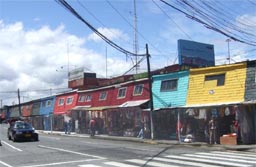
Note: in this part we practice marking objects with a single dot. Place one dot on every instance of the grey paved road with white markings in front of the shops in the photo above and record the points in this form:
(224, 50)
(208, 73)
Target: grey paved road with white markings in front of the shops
(64, 151)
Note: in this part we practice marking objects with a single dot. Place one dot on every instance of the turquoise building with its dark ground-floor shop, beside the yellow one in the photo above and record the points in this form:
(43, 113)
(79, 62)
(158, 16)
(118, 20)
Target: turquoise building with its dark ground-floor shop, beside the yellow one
(169, 94)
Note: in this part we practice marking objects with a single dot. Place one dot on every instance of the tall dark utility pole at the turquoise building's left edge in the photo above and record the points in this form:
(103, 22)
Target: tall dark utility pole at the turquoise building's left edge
(150, 94)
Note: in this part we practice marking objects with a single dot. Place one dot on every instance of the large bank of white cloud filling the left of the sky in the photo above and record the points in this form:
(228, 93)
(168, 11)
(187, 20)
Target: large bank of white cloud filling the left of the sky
(29, 58)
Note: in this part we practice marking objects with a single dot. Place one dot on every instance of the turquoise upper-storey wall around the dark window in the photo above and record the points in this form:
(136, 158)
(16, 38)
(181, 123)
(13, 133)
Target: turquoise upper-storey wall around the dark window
(173, 98)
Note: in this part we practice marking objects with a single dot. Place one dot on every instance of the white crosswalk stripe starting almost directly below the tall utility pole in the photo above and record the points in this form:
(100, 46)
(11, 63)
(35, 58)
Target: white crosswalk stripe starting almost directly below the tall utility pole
(183, 162)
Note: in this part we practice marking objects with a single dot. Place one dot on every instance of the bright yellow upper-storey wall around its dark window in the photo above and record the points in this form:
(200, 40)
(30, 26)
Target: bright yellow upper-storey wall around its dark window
(207, 92)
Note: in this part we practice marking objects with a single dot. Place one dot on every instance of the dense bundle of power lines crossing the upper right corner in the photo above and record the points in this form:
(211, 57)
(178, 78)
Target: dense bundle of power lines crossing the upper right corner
(199, 14)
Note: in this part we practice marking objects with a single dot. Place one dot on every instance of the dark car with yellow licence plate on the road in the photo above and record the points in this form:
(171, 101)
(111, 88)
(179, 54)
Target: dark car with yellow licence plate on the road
(21, 130)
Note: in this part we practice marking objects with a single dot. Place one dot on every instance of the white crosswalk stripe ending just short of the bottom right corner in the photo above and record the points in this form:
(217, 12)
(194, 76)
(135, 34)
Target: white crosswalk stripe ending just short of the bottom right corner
(207, 160)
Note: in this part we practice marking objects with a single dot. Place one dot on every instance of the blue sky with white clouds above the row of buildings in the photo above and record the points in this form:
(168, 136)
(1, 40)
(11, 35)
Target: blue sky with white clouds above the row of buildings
(39, 39)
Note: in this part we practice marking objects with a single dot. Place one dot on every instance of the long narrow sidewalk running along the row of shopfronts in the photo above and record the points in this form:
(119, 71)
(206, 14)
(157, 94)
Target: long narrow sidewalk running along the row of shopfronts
(251, 148)
